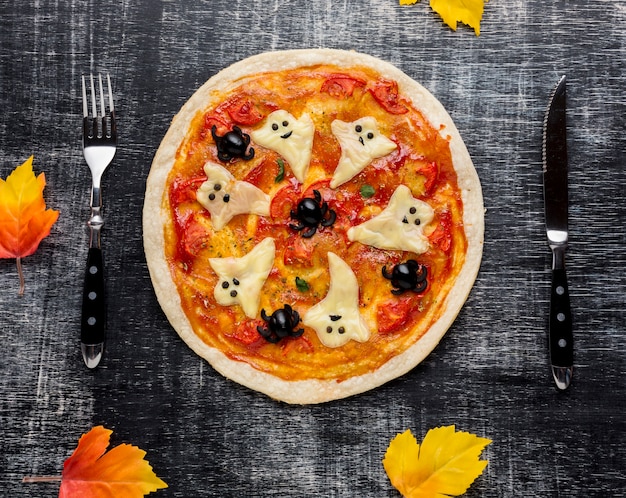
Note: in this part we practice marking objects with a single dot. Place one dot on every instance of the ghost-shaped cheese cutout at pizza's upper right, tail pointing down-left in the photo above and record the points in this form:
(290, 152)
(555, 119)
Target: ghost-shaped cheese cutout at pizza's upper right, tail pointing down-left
(361, 143)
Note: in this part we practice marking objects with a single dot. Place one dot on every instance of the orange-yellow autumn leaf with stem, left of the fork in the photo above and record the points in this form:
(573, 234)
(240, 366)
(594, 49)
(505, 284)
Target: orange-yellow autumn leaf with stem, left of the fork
(24, 219)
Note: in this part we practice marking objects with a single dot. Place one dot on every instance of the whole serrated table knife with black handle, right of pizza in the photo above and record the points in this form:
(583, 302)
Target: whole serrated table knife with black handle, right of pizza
(560, 334)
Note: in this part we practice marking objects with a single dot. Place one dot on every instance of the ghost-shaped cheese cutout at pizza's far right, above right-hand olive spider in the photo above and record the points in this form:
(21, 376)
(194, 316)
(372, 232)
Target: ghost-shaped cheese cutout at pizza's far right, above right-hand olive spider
(399, 226)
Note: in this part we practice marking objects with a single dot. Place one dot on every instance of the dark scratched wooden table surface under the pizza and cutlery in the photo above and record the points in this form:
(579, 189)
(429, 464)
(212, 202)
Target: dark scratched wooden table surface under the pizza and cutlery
(207, 436)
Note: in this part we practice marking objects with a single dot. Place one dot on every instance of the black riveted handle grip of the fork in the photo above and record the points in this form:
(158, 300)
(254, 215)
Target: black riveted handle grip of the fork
(93, 320)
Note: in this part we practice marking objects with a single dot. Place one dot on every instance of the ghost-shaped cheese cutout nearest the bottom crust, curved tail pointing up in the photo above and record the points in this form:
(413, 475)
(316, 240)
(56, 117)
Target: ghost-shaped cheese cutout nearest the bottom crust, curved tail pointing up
(336, 318)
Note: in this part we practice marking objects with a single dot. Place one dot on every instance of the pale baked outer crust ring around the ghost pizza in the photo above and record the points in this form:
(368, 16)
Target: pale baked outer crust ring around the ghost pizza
(154, 217)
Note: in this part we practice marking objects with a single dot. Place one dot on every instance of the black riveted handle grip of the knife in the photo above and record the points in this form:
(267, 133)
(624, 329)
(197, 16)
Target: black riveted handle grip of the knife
(560, 331)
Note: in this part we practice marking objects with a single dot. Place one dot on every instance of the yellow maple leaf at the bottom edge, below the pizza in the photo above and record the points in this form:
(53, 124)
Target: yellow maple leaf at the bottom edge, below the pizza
(445, 464)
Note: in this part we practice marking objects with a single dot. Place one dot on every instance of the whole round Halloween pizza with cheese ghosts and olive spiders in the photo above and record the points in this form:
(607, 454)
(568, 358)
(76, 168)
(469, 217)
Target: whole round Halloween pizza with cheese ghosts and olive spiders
(313, 223)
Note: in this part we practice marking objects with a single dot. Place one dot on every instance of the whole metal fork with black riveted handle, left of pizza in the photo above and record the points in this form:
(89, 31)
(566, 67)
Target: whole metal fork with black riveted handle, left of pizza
(99, 145)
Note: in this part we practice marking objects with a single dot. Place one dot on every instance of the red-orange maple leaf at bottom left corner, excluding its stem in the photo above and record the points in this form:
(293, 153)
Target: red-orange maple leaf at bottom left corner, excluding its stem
(120, 473)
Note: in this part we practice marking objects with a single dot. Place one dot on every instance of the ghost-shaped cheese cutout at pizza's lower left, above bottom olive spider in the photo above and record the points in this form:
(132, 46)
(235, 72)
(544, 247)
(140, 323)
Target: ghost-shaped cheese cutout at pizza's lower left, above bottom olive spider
(241, 279)
